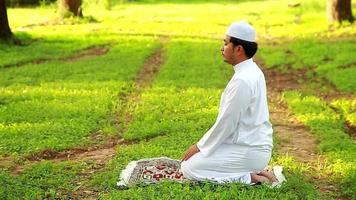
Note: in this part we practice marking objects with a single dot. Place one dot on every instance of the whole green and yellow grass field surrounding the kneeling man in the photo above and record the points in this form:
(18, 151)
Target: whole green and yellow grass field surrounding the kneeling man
(74, 85)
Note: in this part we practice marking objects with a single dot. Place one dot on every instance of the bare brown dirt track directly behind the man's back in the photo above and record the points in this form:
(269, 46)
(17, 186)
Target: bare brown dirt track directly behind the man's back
(295, 139)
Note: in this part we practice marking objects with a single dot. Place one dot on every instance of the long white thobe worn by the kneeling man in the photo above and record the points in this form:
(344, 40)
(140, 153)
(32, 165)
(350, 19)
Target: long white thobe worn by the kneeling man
(240, 141)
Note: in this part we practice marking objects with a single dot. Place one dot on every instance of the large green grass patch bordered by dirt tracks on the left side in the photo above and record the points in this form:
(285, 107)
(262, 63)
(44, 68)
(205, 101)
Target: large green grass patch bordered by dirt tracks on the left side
(57, 105)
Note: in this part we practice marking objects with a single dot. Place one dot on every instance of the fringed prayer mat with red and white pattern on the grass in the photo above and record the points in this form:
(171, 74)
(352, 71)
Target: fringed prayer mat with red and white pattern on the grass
(151, 171)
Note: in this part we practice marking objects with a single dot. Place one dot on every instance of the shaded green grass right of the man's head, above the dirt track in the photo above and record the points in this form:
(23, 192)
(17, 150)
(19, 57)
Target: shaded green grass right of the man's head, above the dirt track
(320, 57)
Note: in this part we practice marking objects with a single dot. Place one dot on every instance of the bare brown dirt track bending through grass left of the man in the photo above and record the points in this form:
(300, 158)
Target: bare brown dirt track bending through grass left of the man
(100, 154)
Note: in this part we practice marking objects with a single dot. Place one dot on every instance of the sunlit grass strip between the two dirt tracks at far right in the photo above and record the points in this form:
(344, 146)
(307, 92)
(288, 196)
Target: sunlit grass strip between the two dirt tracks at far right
(337, 145)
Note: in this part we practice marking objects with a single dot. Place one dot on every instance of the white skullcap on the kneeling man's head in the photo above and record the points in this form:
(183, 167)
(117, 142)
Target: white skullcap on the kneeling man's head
(242, 30)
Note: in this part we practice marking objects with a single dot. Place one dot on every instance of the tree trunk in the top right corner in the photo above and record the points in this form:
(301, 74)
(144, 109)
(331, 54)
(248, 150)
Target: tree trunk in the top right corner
(340, 10)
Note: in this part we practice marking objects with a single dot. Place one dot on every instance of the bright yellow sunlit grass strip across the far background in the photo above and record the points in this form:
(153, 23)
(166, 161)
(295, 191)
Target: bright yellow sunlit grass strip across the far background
(272, 19)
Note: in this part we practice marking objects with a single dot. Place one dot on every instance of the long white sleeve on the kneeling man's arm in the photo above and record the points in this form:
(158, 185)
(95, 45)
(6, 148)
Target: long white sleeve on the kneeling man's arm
(236, 100)
